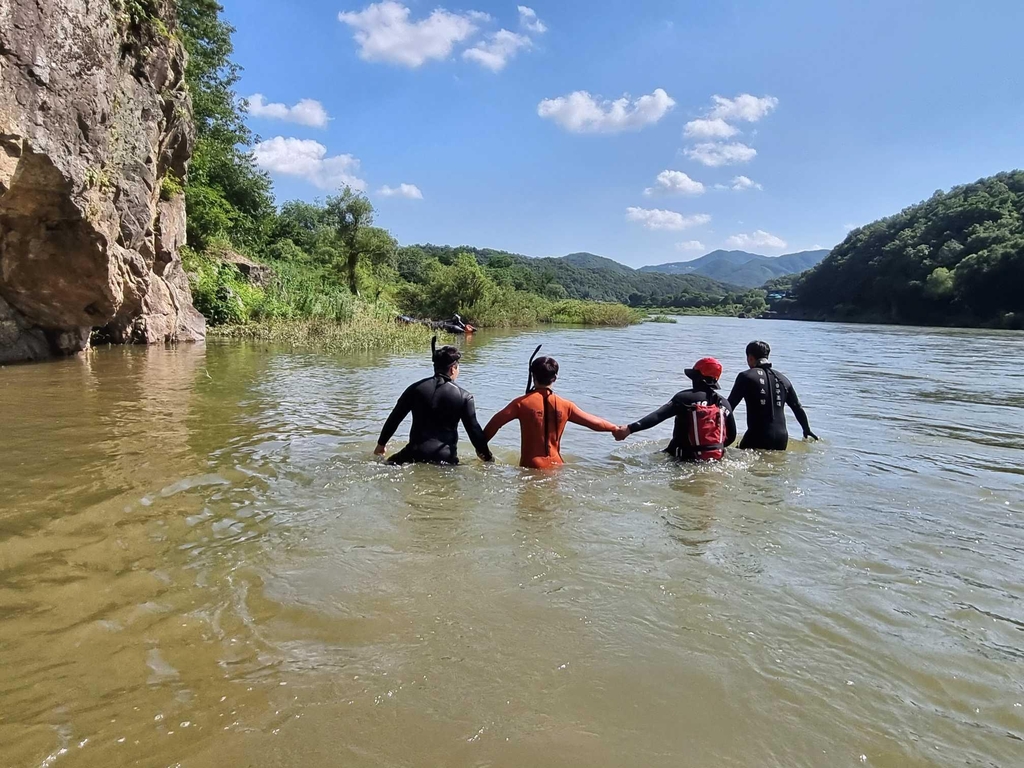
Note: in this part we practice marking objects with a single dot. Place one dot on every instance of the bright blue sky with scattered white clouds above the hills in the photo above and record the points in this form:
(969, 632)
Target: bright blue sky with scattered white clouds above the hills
(829, 114)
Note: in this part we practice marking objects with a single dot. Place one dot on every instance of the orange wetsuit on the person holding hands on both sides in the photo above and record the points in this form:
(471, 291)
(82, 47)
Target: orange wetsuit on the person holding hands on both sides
(543, 417)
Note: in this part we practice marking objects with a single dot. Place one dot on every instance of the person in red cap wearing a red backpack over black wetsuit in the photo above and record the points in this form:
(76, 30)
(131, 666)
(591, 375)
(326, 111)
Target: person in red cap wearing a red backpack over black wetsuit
(686, 442)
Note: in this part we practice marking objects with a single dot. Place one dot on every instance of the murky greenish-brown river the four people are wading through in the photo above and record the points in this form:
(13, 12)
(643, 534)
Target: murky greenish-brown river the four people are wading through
(201, 565)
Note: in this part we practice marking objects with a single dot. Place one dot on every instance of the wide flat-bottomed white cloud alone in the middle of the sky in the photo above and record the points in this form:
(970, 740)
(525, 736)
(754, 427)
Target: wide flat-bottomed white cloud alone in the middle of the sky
(581, 113)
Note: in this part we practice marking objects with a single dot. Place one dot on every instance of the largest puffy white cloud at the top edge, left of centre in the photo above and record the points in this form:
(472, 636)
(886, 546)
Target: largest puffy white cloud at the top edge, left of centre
(386, 33)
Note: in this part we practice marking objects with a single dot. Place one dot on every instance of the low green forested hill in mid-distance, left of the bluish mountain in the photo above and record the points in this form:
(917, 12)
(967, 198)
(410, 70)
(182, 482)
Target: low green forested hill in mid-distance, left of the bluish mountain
(585, 276)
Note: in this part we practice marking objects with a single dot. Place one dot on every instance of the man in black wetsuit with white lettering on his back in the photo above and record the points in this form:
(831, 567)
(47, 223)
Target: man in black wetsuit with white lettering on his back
(766, 394)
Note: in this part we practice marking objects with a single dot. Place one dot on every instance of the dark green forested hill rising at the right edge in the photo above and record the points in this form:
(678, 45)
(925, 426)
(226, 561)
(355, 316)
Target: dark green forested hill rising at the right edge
(958, 259)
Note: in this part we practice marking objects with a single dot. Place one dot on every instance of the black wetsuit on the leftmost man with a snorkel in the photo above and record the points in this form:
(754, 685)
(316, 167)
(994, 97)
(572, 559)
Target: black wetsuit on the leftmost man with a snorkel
(438, 405)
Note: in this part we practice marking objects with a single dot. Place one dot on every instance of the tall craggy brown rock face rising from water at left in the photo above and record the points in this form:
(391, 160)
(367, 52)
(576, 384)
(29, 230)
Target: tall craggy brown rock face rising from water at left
(96, 137)
